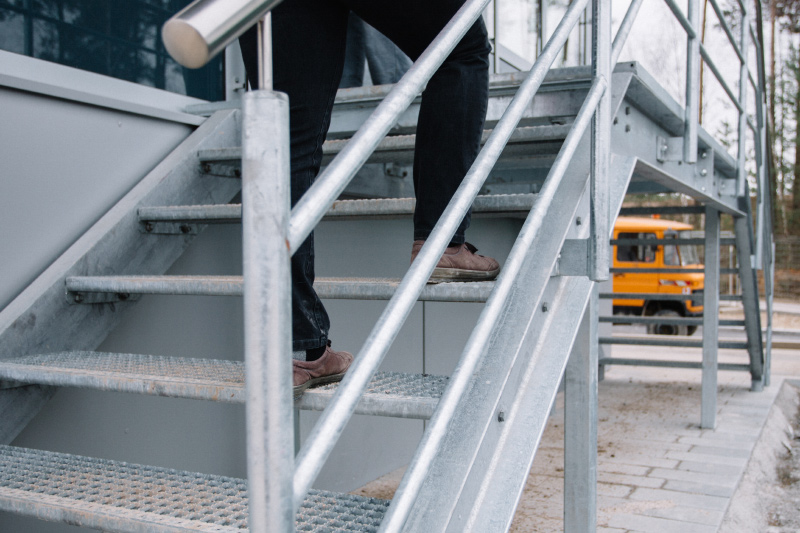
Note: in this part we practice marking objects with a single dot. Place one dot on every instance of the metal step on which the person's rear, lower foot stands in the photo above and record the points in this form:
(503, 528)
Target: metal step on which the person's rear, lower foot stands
(392, 394)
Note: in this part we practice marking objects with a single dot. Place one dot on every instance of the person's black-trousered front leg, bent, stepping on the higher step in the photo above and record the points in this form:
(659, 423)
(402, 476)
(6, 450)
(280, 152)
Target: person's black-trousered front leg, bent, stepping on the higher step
(453, 105)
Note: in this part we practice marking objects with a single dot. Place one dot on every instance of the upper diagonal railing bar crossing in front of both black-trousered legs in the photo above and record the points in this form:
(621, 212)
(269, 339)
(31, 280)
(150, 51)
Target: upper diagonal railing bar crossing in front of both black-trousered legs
(332, 182)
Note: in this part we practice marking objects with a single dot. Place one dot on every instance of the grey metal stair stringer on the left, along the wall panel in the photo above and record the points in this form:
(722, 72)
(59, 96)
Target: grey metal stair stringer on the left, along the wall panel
(41, 319)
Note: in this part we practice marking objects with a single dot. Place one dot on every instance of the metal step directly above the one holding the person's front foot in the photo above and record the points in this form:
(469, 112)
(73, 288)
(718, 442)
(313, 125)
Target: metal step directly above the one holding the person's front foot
(492, 205)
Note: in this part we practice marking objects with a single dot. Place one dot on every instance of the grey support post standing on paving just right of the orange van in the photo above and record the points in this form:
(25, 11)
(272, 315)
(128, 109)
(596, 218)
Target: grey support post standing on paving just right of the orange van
(708, 404)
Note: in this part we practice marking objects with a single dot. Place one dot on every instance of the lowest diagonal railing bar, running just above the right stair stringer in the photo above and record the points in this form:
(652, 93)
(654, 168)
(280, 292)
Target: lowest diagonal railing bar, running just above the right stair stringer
(476, 345)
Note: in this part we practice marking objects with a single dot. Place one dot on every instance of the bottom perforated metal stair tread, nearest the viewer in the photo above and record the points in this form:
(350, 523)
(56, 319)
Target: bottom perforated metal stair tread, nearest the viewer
(116, 496)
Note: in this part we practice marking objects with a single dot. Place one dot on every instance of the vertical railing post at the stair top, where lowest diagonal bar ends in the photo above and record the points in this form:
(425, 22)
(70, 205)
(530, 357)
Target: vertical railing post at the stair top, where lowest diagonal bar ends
(599, 208)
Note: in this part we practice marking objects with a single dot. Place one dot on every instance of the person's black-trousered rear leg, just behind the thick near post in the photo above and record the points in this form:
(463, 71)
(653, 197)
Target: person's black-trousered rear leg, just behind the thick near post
(308, 54)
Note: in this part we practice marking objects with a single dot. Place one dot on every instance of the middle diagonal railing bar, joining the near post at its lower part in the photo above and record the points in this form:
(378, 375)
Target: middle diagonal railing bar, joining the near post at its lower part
(327, 430)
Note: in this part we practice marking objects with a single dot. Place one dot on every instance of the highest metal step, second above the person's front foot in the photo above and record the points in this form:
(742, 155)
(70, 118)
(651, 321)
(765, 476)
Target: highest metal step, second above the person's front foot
(525, 143)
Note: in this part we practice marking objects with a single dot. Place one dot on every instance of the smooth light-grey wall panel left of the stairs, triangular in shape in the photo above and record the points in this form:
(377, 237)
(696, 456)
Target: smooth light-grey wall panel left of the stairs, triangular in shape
(63, 164)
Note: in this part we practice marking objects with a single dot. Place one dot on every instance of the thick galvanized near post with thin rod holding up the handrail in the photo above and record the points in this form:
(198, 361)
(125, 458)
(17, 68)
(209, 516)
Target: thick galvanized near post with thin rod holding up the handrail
(267, 302)
